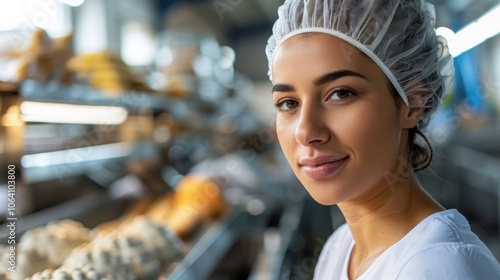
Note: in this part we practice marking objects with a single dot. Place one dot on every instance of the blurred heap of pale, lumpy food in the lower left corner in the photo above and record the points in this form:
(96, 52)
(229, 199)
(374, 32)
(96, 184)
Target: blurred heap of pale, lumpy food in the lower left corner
(135, 249)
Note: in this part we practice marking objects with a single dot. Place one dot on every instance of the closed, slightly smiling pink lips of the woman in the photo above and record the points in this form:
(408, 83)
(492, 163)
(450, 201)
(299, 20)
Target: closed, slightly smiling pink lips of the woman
(322, 167)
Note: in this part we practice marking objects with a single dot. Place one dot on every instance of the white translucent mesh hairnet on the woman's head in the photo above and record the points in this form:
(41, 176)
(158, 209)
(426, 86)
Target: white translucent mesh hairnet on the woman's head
(398, 35)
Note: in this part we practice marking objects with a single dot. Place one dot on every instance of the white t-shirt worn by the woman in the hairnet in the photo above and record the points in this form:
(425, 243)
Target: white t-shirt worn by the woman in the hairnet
(440, 247)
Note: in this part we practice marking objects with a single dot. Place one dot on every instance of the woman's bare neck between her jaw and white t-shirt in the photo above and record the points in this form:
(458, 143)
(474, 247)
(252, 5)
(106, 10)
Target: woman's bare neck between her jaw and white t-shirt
(382, 216)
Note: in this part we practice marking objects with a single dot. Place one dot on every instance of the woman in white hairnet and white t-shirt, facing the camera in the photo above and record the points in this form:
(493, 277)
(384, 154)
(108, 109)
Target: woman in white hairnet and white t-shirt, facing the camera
(354, 83)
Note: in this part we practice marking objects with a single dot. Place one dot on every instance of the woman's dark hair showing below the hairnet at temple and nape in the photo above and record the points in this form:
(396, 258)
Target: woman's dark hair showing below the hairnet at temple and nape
(419, 156)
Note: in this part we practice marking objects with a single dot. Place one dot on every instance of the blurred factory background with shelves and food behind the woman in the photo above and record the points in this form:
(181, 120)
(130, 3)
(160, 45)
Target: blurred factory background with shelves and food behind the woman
(119, 113)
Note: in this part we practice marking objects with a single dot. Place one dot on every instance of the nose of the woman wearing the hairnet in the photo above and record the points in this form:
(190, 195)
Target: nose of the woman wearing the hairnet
(311, 128)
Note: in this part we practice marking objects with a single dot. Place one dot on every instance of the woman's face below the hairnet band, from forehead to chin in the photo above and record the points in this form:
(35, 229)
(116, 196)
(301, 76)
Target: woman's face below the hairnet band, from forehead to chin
(337, 122)
